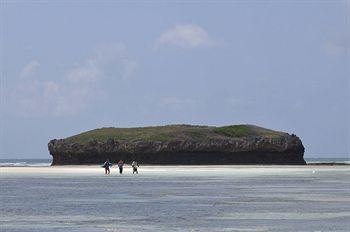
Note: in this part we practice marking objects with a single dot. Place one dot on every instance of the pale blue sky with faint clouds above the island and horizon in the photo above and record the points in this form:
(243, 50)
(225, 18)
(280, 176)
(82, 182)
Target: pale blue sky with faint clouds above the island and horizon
(72, 66)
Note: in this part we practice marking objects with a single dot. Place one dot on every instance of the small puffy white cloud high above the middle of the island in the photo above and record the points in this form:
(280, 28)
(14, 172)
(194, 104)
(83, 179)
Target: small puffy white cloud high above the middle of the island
(186, 36)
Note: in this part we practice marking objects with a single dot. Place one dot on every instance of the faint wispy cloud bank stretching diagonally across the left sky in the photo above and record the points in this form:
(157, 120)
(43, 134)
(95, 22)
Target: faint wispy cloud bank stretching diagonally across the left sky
(78, 89)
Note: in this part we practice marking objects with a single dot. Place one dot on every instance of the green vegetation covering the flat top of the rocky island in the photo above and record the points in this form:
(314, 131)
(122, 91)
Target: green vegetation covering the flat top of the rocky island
(171, 132)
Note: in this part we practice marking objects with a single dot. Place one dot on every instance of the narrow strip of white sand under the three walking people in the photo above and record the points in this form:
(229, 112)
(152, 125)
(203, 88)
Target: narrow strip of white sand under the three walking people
(213, 170)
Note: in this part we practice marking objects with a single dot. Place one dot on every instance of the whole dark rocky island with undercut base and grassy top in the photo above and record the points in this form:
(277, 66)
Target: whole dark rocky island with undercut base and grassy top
(180, 145)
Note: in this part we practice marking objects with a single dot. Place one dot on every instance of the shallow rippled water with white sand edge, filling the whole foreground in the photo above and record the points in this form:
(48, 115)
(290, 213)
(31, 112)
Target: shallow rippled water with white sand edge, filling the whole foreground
(229, 198)
